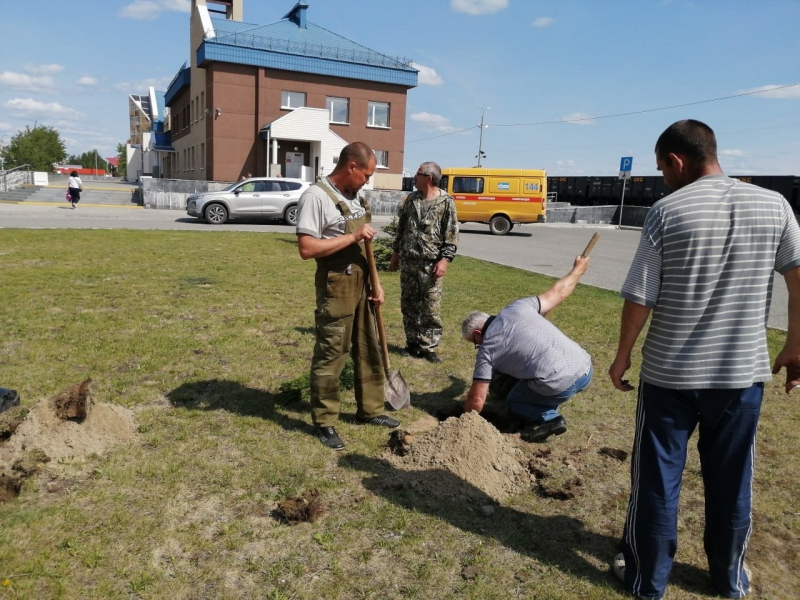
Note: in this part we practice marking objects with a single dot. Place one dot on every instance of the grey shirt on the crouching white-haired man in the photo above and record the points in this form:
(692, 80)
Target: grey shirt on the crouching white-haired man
(520, 342)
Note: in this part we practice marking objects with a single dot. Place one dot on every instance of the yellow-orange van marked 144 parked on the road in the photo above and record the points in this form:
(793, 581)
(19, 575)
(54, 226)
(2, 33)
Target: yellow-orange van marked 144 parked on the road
(499, 197)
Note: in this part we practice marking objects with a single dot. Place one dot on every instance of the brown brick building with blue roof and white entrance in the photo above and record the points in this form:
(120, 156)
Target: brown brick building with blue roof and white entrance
(281, 98)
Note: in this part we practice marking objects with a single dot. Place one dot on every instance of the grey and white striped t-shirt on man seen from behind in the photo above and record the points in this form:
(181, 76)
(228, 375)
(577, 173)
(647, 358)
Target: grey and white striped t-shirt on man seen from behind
(704, 264)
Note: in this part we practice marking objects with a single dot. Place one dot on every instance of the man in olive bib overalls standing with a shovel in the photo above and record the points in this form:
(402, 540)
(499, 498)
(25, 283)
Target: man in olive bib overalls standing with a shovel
(333, 222)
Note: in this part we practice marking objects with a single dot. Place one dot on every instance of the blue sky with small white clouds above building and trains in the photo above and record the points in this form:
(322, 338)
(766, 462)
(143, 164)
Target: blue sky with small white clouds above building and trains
(71, 66)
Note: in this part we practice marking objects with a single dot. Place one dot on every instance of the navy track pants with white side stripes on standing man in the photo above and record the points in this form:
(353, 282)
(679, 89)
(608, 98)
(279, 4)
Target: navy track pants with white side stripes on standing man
(665, 420)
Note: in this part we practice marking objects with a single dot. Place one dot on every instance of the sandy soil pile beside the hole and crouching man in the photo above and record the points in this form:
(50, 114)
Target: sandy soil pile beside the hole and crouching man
(464, 457)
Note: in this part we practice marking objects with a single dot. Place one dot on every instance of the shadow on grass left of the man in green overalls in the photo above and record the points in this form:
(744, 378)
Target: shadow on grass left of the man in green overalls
(221, 394)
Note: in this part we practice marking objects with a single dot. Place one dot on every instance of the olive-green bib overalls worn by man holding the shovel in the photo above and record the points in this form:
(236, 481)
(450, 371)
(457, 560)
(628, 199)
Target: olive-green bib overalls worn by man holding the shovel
(343, 320)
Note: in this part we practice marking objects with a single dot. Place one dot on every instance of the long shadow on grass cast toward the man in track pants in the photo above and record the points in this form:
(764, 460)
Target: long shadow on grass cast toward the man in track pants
(560, 541)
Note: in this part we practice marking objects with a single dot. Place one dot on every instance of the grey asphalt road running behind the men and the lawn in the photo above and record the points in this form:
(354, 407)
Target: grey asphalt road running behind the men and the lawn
(547, 249)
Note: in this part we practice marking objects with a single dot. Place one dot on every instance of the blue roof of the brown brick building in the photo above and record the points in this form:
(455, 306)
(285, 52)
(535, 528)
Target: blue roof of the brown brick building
(311, 49)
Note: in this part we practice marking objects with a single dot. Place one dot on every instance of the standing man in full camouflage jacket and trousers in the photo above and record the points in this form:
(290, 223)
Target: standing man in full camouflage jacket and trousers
(426, 242)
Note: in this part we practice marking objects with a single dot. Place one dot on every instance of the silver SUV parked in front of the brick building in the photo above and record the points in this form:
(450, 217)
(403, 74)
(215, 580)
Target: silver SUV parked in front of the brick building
(257, 197)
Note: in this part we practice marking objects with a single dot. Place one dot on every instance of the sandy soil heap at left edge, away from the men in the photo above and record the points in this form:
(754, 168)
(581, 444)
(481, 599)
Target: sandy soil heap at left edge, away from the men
(106, 426)
